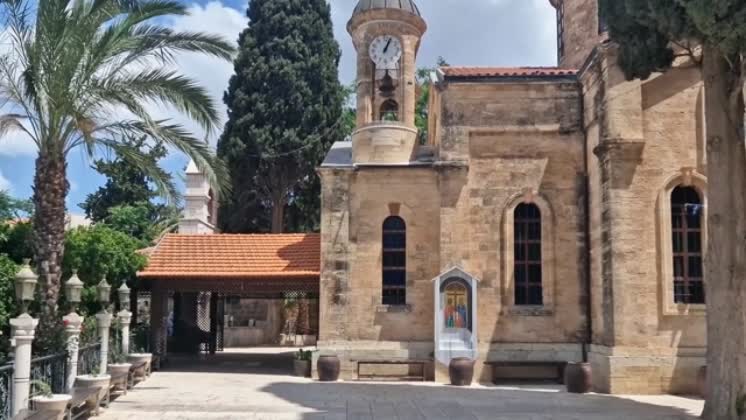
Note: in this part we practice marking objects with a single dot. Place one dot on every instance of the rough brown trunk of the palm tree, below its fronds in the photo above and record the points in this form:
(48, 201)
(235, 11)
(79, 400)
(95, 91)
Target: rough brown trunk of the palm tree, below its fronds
(50, 191)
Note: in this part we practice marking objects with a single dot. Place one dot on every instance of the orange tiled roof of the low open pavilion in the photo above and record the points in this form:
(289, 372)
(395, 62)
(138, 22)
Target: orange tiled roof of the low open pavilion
(235, 256)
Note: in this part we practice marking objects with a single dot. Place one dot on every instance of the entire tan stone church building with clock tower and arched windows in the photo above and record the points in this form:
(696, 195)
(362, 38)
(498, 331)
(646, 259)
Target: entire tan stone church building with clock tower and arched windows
(568, 201)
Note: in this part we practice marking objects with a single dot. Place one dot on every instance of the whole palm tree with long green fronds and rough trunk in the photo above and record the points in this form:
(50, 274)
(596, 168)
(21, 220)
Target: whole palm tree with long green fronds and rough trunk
(80, 74)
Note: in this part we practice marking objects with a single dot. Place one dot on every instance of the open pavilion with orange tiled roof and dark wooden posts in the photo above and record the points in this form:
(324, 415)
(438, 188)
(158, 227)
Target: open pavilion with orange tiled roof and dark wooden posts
(191, 267)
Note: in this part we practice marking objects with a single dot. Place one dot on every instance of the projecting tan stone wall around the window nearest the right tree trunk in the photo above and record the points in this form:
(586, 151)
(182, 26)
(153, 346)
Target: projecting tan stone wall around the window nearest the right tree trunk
(647, 138)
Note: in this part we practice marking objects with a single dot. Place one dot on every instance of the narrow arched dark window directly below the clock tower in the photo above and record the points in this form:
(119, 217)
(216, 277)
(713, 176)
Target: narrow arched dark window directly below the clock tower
(394, 261)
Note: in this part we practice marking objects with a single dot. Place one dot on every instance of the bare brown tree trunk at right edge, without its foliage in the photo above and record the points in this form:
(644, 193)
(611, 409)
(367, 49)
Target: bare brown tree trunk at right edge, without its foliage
(726, 254)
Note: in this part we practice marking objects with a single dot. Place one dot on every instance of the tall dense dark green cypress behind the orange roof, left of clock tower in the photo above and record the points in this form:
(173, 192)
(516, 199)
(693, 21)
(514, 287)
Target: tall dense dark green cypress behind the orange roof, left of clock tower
(284, 112)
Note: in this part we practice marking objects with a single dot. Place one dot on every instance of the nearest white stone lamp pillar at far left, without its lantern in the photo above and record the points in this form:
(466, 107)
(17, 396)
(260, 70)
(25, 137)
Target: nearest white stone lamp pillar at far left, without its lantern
(22, 335)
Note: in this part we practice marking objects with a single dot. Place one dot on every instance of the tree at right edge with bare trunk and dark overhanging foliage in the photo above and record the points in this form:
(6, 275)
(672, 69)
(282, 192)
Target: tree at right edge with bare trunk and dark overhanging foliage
(652, 35)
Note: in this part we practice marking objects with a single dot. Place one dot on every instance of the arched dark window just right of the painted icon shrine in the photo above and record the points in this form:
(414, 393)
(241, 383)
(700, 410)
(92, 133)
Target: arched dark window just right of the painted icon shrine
(527, 255)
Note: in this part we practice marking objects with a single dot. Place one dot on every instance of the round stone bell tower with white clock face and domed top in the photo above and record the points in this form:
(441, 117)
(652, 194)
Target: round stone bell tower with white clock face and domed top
(386, 35)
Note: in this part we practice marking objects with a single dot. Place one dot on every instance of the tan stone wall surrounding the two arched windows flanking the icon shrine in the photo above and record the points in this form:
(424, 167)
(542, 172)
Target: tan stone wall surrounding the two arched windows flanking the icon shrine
(501, 144)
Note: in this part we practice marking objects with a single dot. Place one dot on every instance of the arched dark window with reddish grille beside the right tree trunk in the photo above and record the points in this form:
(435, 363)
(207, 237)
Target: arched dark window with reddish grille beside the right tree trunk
(686, 230)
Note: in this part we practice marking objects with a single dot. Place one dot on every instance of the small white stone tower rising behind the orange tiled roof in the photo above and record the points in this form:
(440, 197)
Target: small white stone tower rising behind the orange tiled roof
(200, 209)
